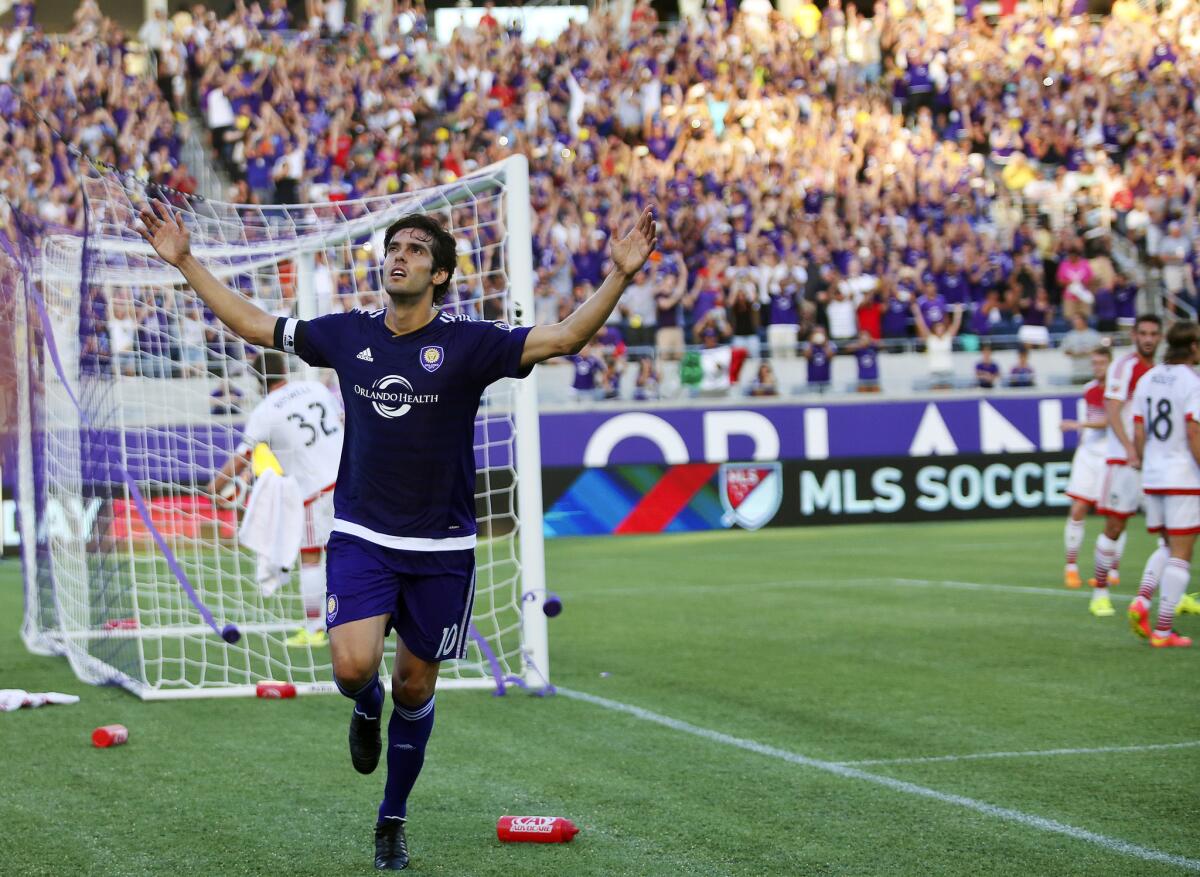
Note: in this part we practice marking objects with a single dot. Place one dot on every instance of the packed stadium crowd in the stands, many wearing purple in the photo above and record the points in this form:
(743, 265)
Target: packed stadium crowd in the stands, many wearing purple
(830, 183)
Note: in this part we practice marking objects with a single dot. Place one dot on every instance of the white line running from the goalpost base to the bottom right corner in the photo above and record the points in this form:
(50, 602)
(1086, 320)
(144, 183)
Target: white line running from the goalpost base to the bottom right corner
(1016, 816)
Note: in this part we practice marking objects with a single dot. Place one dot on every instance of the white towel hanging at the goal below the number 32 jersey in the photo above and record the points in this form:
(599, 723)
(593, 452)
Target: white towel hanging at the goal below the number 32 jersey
(274, 527)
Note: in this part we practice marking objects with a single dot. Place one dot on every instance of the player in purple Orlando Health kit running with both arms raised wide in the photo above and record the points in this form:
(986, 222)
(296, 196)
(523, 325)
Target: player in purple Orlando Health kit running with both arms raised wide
(403, 554)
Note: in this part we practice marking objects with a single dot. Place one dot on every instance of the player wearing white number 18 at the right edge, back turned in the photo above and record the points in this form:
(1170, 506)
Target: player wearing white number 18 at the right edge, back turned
(1167, 436)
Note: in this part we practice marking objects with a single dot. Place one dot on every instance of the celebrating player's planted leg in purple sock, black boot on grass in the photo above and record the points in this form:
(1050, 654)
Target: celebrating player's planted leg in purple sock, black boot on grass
(413, 682)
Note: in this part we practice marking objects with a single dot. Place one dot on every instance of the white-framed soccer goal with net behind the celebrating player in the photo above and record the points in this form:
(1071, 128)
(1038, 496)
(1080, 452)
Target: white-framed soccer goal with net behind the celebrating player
(131, 397)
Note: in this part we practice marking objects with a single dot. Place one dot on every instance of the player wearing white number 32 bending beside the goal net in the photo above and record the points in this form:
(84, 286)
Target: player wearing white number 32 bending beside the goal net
(302, 424)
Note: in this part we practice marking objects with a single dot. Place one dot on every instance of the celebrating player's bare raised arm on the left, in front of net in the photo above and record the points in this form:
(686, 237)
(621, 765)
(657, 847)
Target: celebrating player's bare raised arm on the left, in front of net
(171, 239)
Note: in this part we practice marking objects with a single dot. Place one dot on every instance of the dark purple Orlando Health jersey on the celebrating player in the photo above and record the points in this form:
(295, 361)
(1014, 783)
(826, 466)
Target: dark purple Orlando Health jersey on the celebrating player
(407, 478)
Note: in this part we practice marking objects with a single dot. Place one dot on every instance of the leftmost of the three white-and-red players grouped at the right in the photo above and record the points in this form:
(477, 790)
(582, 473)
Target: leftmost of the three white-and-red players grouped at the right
(1088, 466)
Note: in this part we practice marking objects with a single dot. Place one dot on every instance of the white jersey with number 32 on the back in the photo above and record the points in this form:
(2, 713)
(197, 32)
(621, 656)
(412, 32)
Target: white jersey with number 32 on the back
(302, 423)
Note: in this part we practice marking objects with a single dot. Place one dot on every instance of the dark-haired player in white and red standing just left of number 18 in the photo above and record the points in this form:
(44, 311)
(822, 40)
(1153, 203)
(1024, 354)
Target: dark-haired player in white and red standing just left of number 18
(1121, 492)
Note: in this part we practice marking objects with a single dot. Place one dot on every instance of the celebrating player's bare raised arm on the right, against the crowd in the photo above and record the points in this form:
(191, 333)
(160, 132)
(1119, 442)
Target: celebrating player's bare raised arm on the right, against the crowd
(571, 335)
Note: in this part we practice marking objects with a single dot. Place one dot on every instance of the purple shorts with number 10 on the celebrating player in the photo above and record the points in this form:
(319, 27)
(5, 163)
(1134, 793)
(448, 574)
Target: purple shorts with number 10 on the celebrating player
(429, 594)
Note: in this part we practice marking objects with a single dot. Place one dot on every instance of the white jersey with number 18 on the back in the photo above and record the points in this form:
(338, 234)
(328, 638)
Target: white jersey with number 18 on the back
(1167, 400)
